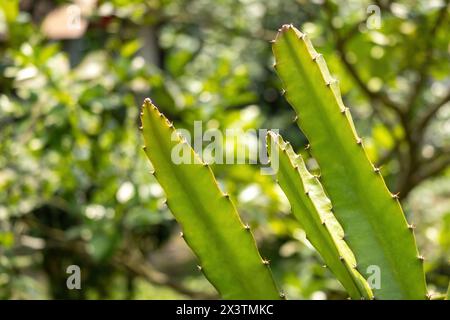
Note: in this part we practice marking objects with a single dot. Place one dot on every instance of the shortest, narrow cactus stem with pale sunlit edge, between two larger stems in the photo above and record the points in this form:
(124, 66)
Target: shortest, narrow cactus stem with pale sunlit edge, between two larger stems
(313, 210)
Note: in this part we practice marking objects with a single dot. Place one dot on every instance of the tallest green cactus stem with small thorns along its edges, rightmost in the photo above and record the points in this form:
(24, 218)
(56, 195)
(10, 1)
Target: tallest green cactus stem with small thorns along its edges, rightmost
(375, 226)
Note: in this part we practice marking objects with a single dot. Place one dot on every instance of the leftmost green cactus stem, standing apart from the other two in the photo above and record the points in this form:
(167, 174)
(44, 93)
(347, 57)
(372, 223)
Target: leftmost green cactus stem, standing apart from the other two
(211, 225)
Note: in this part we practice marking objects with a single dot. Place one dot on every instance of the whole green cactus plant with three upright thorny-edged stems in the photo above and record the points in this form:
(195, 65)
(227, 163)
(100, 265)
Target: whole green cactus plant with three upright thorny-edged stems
(349, 216)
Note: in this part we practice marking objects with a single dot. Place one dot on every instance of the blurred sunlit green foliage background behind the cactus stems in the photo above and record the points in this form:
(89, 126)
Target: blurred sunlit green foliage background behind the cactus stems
(75, 186)
